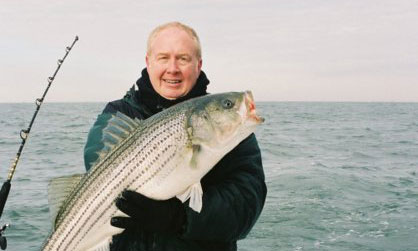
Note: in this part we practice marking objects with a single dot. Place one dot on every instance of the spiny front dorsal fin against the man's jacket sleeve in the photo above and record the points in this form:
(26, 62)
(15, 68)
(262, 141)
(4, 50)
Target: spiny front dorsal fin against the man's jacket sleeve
(118, 128)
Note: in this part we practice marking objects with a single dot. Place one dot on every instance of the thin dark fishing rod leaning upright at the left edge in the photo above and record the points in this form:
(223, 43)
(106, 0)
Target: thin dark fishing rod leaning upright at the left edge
(24, 133)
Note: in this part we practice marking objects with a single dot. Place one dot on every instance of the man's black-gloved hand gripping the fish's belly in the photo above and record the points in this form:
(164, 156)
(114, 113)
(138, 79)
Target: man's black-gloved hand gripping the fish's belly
(165, 216)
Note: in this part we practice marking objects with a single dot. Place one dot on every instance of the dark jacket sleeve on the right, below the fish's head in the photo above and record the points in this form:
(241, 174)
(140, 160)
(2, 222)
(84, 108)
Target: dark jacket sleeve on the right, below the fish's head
(232, 201)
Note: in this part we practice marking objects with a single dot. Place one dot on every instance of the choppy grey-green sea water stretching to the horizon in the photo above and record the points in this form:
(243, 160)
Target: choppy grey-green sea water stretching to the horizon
(340, 176)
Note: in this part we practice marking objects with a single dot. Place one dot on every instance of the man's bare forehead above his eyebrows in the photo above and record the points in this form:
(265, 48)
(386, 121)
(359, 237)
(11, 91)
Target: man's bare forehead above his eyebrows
(173, 40)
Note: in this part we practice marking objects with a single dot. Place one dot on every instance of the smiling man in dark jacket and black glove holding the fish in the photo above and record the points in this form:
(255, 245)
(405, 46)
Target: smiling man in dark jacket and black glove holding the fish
(234, 191)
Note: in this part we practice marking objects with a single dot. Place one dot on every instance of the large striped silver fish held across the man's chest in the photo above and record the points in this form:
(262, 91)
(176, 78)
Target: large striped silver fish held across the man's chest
(162, 157)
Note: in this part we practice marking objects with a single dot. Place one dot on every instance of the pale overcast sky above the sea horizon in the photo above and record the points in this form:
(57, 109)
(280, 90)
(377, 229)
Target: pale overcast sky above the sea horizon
(281, 50)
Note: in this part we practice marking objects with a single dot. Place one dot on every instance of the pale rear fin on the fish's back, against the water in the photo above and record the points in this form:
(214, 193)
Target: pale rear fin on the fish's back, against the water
(58, 191)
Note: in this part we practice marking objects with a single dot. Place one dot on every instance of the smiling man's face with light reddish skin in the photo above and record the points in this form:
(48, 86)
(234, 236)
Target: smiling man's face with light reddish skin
(172, 65)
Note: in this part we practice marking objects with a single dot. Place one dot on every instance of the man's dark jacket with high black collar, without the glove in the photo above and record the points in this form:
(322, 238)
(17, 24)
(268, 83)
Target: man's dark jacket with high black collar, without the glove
(234, 191)
